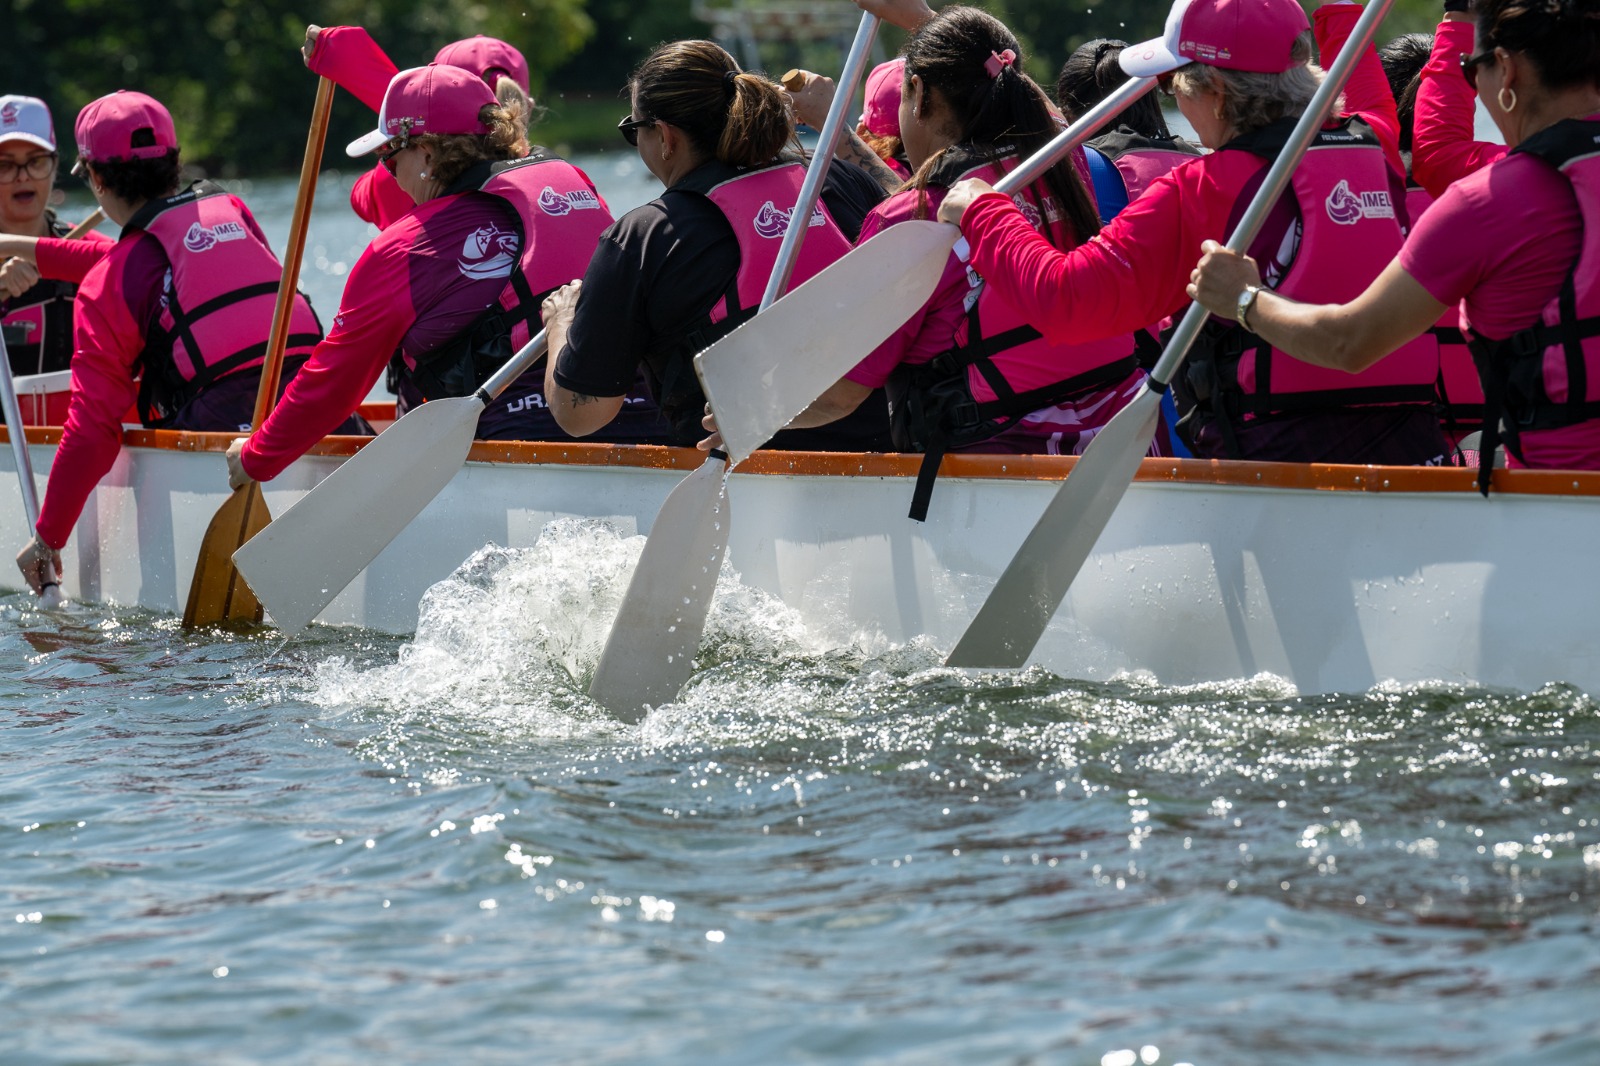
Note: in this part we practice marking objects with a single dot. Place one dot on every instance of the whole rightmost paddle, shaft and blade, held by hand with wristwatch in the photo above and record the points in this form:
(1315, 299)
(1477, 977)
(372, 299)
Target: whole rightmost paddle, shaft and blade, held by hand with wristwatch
(1033, 587)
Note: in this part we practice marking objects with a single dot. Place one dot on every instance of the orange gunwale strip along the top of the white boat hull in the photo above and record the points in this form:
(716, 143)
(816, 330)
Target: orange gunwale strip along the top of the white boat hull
(1046, 468)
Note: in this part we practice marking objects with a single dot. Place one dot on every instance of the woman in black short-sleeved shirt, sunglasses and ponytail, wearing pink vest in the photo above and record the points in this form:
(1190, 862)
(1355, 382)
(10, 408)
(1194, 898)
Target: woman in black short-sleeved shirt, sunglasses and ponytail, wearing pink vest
(687, 268)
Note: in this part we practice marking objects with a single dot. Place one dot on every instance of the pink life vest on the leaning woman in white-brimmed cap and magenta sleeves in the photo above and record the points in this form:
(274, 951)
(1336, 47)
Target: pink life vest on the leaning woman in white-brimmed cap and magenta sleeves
(562, 218)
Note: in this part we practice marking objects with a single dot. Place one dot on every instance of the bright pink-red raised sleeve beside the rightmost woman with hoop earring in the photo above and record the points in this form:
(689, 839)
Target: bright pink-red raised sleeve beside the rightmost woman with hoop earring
(1442, 146)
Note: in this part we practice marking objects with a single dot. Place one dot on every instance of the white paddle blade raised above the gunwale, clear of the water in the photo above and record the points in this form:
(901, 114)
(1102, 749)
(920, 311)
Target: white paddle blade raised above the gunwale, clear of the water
(775, 366)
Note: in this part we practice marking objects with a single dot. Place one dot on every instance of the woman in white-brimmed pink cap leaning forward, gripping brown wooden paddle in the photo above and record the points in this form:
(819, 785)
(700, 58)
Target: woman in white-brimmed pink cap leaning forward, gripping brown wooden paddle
(450, 291)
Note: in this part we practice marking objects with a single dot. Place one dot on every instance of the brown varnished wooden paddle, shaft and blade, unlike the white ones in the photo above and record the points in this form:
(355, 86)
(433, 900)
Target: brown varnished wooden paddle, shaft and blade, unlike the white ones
(217, 595)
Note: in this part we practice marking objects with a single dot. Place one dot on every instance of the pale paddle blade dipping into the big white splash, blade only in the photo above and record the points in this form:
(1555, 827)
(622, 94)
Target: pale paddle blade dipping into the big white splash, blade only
(652, 647)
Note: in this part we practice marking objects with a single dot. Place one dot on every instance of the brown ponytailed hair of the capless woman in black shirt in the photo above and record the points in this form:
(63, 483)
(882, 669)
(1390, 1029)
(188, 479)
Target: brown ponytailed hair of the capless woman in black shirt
(697, 87)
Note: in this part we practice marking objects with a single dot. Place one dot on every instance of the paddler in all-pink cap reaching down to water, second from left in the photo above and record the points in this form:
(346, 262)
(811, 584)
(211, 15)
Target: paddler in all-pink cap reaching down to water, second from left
(174, 321)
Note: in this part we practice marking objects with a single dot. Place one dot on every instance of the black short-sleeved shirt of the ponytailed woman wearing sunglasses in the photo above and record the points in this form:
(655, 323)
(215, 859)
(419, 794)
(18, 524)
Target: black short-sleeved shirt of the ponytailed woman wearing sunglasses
(652, 286)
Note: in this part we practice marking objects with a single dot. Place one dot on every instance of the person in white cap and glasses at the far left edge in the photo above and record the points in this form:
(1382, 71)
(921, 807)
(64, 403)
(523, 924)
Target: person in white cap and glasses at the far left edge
(38, 276)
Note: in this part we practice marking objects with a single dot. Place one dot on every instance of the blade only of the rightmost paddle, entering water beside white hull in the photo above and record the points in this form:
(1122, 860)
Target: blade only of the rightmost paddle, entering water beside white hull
(1033, 587)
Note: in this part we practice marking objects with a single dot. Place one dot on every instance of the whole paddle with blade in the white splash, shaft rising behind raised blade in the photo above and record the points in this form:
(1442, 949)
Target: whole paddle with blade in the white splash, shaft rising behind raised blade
(650, 651)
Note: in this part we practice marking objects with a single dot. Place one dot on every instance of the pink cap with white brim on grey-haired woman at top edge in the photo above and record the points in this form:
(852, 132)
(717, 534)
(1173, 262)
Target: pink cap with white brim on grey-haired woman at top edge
(1231, 34)
